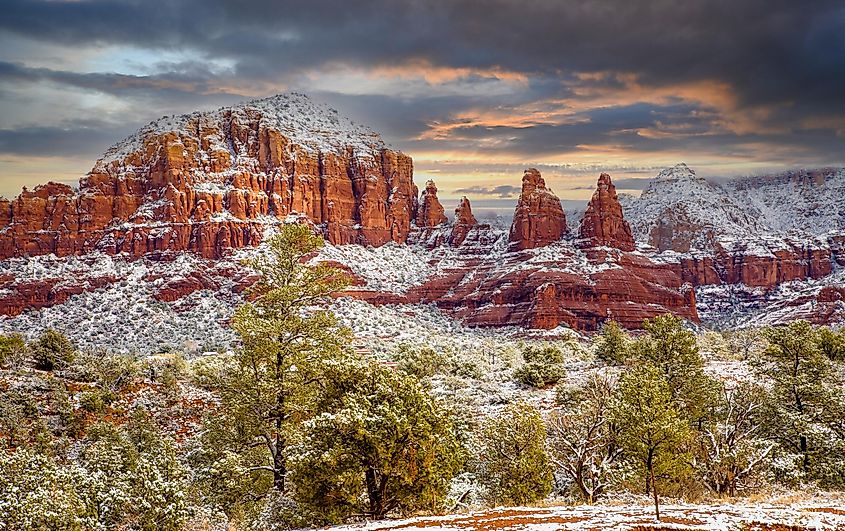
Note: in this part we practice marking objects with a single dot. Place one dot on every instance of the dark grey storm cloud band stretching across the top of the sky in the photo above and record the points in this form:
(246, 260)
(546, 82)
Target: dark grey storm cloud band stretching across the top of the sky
(770, 51)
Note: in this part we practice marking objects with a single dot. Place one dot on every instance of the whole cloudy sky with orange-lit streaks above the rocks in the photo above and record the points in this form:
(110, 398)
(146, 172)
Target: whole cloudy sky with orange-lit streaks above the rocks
(474, 90)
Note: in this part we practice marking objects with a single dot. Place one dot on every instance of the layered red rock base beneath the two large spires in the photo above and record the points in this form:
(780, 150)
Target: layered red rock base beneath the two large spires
(488, 292)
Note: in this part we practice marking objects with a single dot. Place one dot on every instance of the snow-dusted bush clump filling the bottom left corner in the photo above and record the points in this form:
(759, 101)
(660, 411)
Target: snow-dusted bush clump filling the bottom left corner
(122, 480)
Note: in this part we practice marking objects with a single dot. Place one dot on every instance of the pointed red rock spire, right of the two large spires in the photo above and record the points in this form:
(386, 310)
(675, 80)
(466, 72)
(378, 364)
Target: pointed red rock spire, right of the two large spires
(603, 223)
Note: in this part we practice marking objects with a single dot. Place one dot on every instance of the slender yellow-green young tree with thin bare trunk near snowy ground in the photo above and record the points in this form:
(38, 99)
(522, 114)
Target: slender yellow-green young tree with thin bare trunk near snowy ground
(652, 432)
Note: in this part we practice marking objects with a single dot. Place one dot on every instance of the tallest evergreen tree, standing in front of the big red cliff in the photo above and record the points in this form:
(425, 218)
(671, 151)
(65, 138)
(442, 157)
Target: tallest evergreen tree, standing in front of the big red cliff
(271, 385)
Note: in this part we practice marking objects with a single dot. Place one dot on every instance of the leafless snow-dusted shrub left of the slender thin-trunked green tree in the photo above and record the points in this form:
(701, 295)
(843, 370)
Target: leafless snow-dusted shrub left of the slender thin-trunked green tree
(582, 441)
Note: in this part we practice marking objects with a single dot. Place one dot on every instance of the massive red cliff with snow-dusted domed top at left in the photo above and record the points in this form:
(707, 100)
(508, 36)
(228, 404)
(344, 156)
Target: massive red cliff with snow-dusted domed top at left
(207, 182)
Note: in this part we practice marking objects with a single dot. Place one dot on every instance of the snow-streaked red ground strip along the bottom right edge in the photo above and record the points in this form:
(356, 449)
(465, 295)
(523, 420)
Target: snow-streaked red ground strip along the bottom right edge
(827, 515)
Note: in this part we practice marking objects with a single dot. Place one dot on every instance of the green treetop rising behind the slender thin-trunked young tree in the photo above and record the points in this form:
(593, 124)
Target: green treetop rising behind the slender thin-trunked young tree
(672, 349)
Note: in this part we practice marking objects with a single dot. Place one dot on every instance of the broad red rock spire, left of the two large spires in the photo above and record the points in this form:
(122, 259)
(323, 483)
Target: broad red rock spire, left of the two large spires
(538, 219)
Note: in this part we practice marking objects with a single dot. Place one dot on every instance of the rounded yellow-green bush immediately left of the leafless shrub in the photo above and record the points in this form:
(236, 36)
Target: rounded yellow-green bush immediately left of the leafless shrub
(512, 459)
